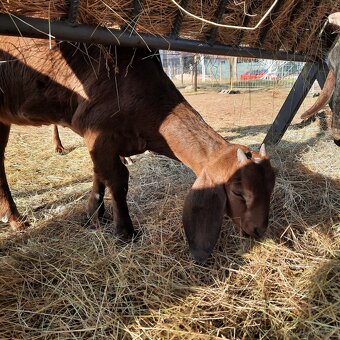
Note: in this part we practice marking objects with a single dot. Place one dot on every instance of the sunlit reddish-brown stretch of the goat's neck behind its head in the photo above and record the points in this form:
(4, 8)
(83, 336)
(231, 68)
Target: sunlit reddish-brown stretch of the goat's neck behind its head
(190, 138)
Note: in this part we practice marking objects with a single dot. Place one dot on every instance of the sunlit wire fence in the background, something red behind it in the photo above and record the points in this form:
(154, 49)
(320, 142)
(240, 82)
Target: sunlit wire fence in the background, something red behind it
(229, 72)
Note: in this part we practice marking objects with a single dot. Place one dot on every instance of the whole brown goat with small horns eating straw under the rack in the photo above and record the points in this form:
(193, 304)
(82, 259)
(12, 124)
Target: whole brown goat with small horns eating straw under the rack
(123, 103)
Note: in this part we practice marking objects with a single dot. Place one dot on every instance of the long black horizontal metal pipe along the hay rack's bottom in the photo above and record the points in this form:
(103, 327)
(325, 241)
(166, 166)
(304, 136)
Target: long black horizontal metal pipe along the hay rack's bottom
(61, 30)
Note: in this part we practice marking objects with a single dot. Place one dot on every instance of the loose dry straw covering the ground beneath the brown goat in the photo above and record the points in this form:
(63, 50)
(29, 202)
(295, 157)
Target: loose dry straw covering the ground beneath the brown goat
(67, 278)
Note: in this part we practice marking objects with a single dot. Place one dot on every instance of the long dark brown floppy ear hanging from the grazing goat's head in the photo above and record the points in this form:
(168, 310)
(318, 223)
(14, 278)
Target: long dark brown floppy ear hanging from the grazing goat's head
(203, 212)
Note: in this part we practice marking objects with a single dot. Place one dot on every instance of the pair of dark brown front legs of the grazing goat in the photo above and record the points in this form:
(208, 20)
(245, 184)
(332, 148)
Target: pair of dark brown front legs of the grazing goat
(110, 172)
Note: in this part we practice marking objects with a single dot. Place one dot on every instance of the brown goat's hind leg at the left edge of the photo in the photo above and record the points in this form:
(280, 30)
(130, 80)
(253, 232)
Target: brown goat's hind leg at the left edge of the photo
(8, 209)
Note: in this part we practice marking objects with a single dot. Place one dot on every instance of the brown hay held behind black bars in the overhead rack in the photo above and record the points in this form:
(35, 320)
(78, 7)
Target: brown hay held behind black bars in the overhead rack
(293, 25)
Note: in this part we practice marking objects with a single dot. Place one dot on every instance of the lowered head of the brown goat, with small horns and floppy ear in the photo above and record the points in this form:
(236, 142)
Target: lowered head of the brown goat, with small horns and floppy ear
(238, 183)
